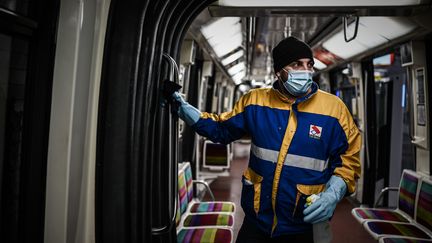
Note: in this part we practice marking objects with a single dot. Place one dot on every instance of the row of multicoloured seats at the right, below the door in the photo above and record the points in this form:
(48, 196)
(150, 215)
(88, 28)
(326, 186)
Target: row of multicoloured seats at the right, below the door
(411, 221)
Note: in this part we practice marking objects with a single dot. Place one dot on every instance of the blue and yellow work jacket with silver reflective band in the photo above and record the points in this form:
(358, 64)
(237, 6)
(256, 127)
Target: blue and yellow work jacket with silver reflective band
(296, 147)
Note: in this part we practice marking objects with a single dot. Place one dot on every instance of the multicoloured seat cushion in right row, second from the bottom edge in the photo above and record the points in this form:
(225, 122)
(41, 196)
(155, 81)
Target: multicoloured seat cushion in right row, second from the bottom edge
(378, 228)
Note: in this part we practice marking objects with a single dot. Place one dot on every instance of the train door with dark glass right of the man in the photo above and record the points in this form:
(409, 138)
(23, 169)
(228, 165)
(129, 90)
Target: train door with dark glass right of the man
(389, 116)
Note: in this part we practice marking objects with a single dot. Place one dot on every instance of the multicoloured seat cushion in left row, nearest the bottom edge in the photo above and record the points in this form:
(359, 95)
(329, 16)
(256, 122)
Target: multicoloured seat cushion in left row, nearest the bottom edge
(204, 235)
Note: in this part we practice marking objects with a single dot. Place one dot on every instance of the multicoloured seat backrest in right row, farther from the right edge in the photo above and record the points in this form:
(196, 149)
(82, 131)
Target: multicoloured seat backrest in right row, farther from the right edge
(407, 191)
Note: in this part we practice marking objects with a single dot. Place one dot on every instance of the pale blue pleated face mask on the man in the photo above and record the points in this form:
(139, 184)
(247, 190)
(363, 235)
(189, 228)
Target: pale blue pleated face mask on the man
(298, 82)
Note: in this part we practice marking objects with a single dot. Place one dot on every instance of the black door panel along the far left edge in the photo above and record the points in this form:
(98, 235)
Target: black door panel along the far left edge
(27, 46)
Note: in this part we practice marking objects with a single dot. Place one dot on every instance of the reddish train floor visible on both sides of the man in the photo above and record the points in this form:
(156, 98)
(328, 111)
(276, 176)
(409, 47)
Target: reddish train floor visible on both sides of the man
(228, 188)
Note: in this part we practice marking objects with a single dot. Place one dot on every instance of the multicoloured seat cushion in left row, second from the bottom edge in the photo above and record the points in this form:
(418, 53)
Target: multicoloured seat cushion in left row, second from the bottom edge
(208, 220)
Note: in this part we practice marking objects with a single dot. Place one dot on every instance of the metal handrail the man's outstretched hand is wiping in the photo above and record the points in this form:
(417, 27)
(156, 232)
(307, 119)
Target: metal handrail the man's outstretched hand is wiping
(174, 76)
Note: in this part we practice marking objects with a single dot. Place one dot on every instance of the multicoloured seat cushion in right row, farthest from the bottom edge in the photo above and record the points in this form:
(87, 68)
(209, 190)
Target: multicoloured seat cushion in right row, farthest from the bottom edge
(380, 214)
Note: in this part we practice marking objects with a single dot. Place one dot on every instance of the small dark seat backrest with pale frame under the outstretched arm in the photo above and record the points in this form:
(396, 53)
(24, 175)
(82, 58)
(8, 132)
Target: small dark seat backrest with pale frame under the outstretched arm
(215, 155)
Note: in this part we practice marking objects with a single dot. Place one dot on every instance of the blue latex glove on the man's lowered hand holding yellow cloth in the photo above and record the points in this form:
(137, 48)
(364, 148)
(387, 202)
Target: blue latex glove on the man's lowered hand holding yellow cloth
(322, 209)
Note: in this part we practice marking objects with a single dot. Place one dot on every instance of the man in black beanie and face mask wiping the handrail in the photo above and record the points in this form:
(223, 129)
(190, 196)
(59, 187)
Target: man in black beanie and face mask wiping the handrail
(304, 142)
